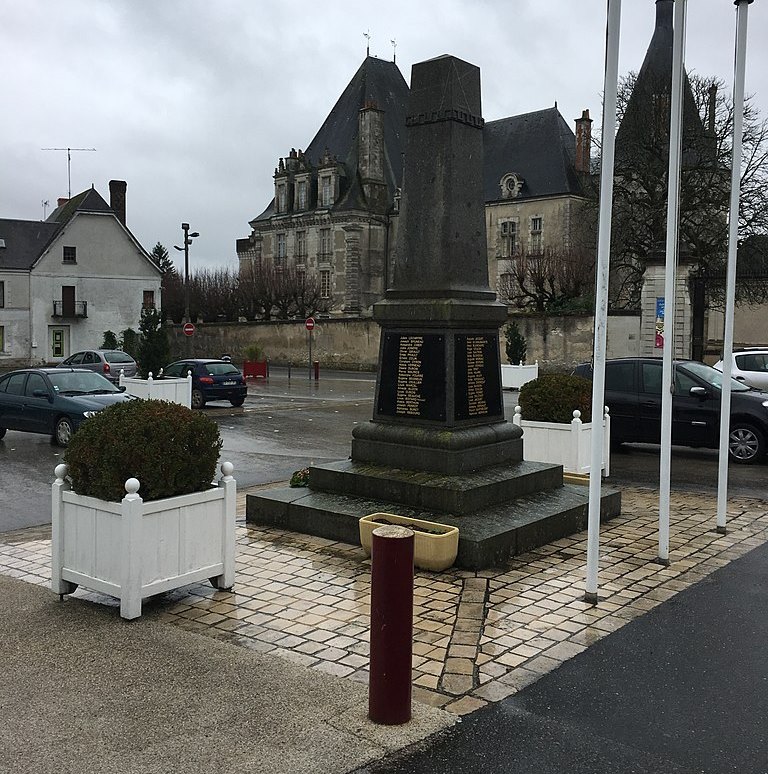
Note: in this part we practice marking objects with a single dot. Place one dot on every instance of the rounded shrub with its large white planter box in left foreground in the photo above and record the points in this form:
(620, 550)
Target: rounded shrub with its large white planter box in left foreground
(134, 512)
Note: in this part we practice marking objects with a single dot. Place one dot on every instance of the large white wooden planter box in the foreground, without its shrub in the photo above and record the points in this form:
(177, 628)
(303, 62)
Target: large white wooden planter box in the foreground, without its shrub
(132, 549)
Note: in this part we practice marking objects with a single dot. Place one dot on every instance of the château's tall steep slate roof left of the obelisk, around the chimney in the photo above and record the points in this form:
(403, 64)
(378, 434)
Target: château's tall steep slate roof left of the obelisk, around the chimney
(376, 81)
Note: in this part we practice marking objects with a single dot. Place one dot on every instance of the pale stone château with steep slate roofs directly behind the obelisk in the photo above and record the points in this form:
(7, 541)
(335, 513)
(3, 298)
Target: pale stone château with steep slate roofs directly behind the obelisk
(335, 207)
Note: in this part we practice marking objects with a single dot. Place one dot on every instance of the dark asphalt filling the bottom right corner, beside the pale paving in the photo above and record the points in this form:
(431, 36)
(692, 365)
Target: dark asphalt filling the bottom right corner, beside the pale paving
(680, 690)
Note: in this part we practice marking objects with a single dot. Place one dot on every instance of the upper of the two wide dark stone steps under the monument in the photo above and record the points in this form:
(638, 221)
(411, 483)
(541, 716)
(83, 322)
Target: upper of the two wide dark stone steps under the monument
(457, 493)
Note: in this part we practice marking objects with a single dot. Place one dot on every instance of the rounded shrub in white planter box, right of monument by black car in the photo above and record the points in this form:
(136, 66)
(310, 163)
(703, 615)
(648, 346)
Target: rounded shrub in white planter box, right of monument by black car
(555, 413)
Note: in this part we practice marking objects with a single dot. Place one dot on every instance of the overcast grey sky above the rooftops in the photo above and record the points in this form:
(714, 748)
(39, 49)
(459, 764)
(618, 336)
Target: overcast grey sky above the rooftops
(193, 101)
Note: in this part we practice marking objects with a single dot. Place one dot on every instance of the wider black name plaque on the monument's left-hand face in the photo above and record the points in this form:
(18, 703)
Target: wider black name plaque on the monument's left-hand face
(412, 376)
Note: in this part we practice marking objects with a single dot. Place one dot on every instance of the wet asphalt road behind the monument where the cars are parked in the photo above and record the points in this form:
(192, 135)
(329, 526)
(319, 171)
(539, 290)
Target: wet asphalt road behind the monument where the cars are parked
(286, 425)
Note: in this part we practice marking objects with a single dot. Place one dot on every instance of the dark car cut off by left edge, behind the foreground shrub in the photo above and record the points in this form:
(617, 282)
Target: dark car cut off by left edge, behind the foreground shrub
(53, 401)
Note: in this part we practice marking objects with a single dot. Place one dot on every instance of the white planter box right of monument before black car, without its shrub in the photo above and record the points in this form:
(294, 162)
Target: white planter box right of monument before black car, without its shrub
(569, 445)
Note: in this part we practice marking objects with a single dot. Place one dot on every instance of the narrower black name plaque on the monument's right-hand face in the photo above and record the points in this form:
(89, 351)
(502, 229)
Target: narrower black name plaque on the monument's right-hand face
(476, 386)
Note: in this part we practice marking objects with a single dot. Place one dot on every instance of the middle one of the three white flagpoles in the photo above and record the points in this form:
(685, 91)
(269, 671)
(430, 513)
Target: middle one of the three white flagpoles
(670, 275)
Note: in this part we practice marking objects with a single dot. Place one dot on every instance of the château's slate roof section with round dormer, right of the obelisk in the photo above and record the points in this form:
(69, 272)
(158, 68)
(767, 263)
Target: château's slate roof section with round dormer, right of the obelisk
(538, 146)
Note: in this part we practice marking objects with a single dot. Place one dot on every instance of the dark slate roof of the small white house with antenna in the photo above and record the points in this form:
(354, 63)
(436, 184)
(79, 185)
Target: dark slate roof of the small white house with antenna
(25, 240)
